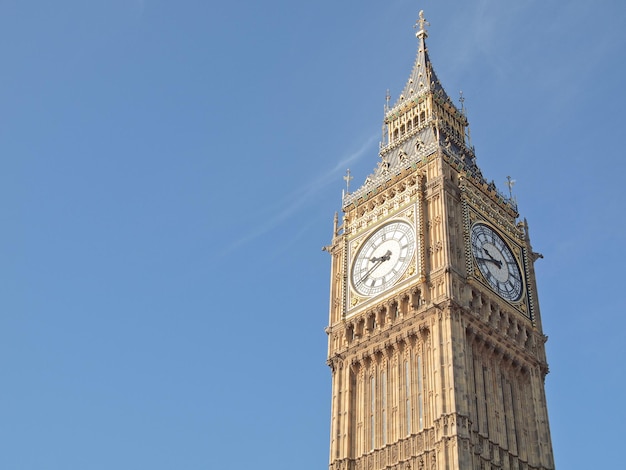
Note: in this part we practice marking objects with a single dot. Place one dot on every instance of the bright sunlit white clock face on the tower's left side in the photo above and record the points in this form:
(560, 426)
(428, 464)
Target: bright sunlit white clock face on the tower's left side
(383, 258)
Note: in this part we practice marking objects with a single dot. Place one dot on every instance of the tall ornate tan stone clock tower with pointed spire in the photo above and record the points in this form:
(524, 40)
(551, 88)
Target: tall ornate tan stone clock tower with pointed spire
(434, 339)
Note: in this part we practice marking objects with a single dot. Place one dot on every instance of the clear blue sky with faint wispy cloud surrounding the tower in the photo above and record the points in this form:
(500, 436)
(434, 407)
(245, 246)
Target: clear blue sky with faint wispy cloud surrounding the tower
(169, 174)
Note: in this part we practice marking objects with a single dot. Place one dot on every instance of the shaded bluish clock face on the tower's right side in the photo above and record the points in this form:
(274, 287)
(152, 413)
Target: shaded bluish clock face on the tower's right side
(496, 262)
